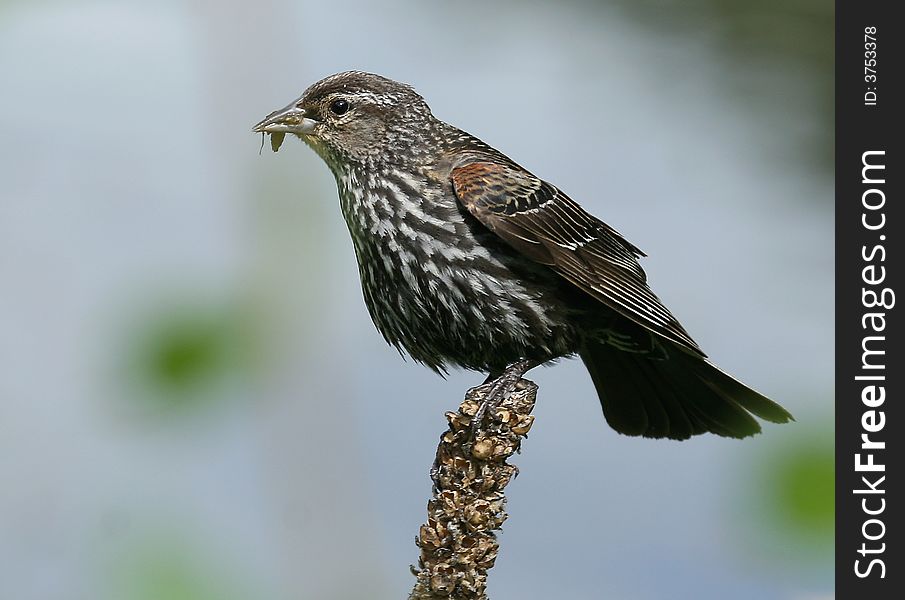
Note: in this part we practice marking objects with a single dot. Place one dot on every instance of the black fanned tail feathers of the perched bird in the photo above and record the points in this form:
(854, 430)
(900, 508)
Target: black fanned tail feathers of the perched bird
(676, 397)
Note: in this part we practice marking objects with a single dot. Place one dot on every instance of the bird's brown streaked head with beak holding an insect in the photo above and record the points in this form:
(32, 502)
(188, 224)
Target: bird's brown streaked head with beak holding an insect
(351, 117)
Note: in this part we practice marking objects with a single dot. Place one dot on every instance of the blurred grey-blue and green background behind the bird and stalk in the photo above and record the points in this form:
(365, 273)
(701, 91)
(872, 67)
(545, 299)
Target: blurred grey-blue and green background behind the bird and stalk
(194, 404)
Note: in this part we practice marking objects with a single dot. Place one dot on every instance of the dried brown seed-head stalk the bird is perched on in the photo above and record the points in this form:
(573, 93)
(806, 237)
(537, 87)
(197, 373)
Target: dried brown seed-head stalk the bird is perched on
(458, 544)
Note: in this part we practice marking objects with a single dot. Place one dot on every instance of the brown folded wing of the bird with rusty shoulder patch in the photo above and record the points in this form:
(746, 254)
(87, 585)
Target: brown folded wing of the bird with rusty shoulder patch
(547, 226)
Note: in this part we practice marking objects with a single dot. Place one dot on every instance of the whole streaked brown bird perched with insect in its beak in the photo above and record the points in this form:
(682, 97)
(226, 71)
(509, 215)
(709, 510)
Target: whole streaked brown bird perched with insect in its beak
(469, 260)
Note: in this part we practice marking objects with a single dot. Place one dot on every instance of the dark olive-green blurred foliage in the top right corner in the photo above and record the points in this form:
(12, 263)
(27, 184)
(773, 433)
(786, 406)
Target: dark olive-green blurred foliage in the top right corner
(751, 38)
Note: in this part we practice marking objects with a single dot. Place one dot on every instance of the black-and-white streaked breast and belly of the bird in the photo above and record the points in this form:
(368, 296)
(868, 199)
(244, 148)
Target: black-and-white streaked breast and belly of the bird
(445, 290)
